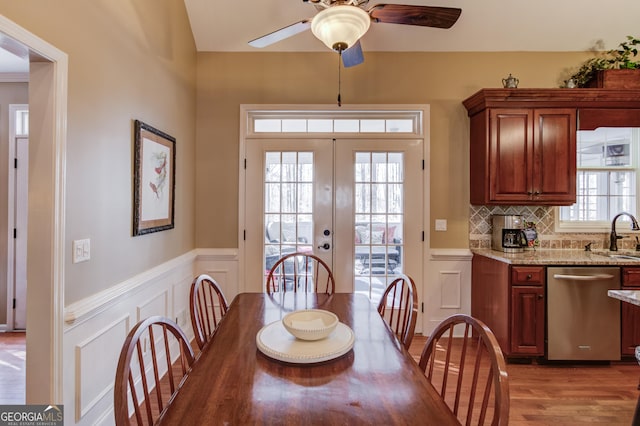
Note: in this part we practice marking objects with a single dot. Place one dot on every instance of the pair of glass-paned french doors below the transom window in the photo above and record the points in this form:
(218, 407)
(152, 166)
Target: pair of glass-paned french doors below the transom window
(356, 203)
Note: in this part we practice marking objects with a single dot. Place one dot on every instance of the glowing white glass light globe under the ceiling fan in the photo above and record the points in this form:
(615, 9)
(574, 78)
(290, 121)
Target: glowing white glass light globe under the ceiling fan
(340, 25)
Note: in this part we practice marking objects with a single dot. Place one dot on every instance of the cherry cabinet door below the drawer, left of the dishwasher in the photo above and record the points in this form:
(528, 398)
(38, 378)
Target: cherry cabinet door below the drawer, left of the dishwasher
(527, 320)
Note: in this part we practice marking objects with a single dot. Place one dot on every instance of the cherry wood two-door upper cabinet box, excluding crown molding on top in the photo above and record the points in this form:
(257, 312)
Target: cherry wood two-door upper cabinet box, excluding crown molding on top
(523, 156)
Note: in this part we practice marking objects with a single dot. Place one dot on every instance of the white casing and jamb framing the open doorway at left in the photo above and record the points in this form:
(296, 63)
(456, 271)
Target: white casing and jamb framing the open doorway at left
(45, 240)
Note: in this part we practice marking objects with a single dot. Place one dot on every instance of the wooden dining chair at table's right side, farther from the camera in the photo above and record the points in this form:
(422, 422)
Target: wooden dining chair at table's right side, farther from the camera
(399, 308)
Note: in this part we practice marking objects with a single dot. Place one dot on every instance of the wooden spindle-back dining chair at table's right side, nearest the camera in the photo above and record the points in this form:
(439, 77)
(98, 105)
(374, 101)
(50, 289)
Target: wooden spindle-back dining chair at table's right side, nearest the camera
(464, 363)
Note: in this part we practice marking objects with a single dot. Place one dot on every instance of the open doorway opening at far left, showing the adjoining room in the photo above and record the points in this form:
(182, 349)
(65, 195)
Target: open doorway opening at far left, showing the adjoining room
(14, 87)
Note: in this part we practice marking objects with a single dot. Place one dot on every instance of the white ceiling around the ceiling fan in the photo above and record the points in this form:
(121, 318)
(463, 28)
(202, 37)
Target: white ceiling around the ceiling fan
(485, 25)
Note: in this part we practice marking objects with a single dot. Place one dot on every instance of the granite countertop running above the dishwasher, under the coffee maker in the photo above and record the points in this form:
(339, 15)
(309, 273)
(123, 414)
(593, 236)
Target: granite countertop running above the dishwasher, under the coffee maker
(561, 257)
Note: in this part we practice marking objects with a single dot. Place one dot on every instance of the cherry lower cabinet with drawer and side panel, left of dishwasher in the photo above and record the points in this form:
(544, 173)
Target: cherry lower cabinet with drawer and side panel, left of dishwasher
(510, 300)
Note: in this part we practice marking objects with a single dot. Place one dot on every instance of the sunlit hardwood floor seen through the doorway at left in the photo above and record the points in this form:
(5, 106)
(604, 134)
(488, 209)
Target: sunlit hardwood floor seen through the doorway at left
(12, 368)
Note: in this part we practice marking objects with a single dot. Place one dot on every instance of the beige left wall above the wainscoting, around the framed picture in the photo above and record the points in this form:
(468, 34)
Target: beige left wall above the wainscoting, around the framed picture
(127, 60)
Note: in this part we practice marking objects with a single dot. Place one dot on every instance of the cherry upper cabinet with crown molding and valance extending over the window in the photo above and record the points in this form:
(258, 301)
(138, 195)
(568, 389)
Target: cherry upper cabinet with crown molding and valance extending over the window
(523, 141)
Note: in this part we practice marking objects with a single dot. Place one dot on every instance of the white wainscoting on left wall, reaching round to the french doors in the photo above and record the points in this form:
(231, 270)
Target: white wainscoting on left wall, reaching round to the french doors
(95, 328)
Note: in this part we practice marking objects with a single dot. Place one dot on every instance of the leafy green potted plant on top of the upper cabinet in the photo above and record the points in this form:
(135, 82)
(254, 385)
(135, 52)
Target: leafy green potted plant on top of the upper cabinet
(614, 69)
